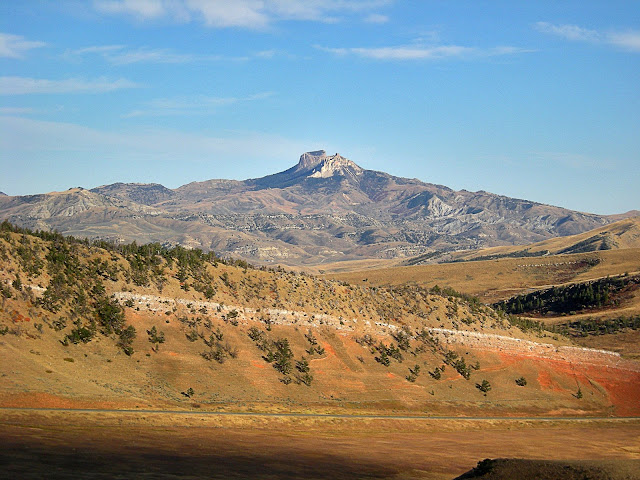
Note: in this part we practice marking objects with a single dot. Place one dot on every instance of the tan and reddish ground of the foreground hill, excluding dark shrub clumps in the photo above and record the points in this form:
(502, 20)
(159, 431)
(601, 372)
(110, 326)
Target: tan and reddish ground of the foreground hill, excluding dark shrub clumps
(36, 369)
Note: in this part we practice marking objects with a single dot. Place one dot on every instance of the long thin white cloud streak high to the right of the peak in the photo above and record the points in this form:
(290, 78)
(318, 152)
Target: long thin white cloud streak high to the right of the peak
(418, 52)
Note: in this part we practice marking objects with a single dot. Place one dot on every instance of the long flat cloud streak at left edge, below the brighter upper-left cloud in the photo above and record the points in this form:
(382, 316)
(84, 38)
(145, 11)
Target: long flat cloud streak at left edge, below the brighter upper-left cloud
(26, 85)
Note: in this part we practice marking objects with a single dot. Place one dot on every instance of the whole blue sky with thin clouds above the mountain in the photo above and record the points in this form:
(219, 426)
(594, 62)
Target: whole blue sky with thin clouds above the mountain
(537, 100)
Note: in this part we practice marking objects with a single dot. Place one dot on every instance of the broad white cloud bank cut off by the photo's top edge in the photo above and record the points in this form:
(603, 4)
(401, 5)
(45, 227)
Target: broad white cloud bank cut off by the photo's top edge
(253, 14)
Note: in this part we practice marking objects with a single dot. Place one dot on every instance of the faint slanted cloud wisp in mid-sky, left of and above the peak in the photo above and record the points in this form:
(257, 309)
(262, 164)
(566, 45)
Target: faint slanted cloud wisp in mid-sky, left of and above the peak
(193, 105)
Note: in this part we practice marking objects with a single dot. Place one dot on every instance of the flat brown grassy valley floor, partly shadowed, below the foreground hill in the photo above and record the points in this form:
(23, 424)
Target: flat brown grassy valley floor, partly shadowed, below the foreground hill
(71, 444)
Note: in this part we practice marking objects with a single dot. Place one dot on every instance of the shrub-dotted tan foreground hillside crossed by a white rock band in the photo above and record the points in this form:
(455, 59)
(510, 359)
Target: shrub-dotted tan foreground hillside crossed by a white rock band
(128, 325)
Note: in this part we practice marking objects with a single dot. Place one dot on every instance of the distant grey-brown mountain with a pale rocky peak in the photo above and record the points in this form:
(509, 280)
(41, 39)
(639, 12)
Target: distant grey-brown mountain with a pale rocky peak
(324, 209)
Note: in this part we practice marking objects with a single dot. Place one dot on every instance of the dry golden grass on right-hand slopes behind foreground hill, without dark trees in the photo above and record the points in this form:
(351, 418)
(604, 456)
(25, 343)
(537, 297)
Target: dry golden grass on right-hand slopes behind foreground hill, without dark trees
(499, 279)
